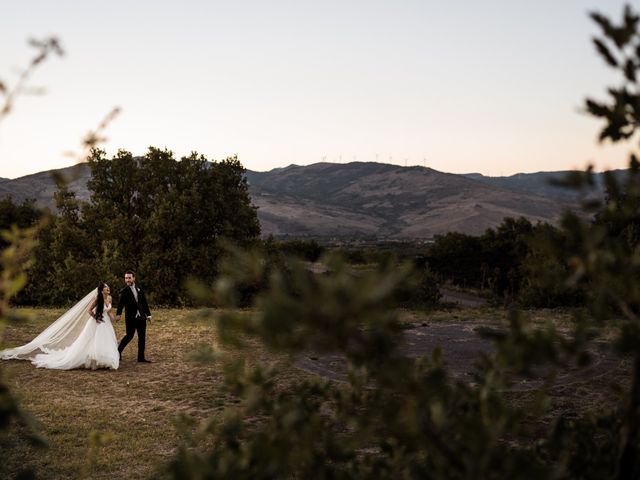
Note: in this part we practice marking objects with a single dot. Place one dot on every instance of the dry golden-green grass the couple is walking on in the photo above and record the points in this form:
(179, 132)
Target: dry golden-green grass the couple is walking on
(133, 408)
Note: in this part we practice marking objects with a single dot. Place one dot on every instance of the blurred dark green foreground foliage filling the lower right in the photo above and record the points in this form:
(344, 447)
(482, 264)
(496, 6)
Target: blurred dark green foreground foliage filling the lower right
(401, 417)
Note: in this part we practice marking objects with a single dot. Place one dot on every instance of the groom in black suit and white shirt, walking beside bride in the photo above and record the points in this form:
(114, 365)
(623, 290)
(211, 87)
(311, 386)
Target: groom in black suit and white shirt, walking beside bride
(136, 314)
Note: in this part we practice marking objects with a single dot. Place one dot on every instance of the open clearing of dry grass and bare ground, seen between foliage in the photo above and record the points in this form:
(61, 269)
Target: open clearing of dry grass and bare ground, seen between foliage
(136, 407)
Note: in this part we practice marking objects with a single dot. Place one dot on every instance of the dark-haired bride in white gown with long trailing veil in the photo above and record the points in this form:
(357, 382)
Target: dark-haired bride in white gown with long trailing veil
(83, 337)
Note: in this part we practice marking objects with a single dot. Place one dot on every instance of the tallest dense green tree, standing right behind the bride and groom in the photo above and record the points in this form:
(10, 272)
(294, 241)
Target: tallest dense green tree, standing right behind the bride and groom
(164, 217)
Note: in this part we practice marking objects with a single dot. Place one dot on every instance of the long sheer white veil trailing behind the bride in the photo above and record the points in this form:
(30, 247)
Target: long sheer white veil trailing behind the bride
(60, 334)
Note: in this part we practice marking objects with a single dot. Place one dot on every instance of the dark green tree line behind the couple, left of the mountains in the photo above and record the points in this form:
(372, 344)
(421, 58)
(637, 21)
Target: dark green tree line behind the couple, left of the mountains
(161, 217)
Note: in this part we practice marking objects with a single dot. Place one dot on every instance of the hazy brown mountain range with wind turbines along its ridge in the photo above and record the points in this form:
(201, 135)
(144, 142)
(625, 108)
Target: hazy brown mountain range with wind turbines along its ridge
(364, 199)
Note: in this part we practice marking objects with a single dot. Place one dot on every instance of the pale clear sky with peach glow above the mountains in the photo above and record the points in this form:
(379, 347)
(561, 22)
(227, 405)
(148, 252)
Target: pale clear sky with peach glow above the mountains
(494, 87)
